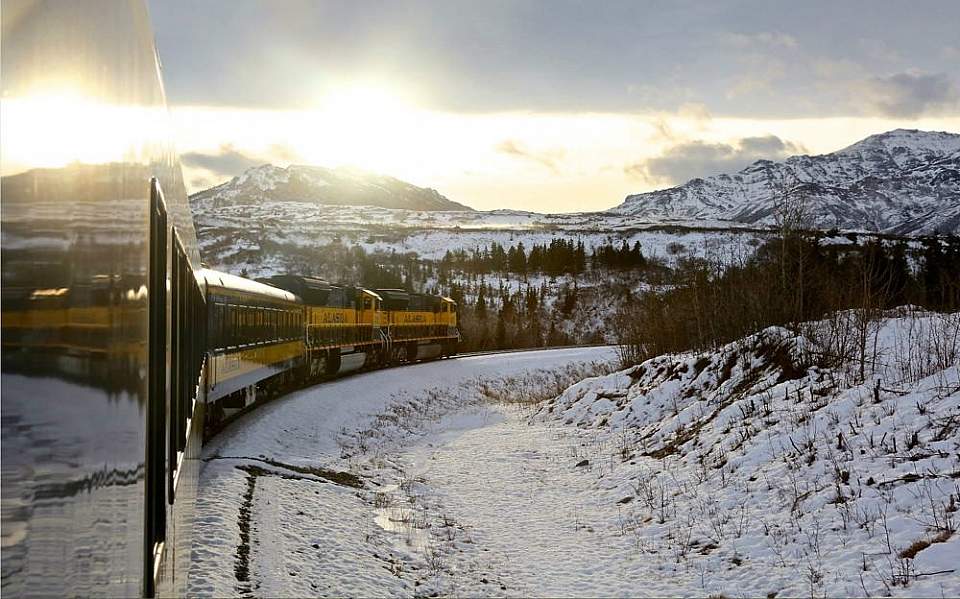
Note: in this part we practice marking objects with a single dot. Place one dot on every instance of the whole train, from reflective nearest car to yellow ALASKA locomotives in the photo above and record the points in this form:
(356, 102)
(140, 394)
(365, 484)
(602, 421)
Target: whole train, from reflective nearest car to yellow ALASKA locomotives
(121, 351)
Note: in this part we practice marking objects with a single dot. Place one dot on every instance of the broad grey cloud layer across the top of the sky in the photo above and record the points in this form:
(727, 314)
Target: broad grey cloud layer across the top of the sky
(546, 55)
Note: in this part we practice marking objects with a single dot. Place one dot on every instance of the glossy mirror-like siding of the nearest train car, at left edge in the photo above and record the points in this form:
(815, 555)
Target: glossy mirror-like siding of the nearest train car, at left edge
(84, 132)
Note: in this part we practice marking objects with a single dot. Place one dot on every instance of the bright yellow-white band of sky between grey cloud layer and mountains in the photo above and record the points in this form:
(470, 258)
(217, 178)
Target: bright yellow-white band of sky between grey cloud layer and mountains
(540, 162)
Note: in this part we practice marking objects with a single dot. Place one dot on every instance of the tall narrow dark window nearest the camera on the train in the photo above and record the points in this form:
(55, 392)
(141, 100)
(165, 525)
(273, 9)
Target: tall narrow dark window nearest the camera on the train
(155, 510)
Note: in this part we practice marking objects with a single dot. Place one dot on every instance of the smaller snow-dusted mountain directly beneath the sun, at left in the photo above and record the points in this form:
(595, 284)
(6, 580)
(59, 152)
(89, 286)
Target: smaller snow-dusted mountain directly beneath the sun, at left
(318, 185)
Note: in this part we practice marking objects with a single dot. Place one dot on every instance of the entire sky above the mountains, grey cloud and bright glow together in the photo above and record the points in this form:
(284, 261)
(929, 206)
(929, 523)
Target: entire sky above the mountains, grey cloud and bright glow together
(552, 105)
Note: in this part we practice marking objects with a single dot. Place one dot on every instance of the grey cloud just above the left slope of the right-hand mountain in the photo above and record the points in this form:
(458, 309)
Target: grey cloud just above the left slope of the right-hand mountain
(698, 158)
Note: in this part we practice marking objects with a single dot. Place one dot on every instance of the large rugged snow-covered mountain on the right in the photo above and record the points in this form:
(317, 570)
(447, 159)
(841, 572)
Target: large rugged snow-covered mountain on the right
(902, 181)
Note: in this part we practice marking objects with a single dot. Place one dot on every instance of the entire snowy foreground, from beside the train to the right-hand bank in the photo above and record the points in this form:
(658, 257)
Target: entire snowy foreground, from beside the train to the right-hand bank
(747, 471)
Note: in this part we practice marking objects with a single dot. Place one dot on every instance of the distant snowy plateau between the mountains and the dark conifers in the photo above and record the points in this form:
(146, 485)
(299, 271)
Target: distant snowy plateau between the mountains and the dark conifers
(287, 229)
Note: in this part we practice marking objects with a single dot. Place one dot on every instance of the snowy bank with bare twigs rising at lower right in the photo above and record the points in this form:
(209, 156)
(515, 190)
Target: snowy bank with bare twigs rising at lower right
(769, 475)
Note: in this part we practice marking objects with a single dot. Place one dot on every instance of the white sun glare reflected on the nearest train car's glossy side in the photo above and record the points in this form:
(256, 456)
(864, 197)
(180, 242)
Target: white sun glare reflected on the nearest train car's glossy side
(54, 128)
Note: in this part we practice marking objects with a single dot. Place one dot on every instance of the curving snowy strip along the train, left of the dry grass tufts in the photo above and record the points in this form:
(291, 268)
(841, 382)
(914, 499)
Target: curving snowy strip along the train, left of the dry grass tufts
(270, 521)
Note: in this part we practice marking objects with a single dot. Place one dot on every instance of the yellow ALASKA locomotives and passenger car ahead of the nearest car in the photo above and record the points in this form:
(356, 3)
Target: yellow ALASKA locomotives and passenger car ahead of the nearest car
(266, 336)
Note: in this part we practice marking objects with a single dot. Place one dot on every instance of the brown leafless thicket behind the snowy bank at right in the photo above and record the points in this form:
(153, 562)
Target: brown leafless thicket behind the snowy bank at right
(795, 278)
